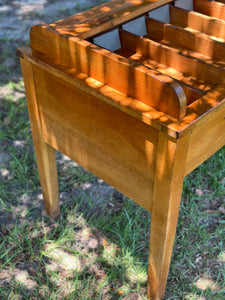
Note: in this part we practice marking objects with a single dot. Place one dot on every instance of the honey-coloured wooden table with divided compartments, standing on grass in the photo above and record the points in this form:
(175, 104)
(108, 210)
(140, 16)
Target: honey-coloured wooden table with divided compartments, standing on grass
(134, 91)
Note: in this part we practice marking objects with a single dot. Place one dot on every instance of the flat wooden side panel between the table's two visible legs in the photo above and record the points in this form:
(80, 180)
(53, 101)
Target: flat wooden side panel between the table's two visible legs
(113, 145)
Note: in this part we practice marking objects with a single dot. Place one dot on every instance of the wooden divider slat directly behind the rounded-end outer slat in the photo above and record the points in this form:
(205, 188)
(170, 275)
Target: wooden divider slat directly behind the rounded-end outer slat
(142, 48)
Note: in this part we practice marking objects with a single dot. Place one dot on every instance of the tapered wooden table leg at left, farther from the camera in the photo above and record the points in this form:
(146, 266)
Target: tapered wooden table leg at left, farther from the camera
(45, 154)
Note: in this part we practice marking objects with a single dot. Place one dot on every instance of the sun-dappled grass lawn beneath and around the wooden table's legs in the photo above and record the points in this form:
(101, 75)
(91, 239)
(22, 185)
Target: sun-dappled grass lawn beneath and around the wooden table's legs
(98, 248)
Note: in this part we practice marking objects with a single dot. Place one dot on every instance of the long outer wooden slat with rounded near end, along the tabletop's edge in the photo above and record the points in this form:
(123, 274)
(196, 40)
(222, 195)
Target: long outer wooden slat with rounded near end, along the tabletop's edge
(133, 79)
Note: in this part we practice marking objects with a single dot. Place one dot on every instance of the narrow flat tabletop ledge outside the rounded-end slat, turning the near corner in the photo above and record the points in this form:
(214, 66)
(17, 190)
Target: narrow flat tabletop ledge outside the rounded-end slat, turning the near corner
(197, 112)
